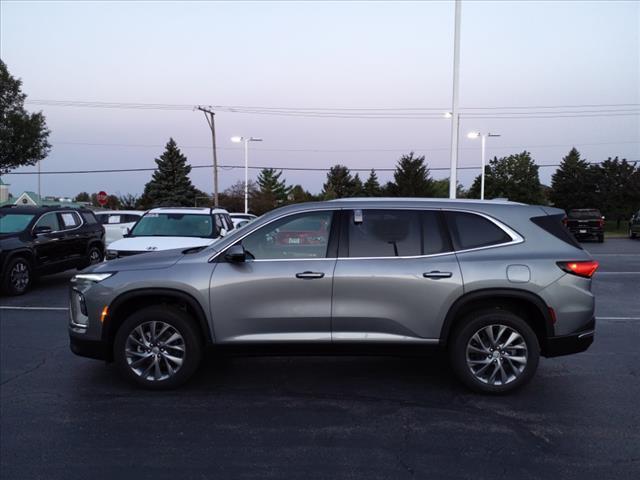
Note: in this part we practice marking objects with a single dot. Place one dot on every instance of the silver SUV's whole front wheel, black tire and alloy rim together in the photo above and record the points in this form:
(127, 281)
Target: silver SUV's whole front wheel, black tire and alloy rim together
(137, 359)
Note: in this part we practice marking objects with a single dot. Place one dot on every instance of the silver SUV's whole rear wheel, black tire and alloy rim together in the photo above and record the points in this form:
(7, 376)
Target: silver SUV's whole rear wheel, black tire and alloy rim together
(470, 358)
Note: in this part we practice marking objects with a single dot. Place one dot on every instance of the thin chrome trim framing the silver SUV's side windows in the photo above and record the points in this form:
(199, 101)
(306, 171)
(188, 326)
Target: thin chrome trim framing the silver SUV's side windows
(516, 238)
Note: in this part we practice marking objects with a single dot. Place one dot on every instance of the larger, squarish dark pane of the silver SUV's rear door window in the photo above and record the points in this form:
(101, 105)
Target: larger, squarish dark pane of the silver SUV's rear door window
(385, 233)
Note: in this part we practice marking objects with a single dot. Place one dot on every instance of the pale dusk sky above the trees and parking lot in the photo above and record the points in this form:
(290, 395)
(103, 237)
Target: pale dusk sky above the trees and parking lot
(317, 54)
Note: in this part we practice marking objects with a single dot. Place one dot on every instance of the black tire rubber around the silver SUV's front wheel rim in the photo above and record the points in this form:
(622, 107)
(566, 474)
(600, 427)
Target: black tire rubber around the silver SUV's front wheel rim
(178, 319)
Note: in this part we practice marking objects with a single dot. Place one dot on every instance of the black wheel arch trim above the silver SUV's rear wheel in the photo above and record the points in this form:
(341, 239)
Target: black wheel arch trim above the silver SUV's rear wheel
(495, 294)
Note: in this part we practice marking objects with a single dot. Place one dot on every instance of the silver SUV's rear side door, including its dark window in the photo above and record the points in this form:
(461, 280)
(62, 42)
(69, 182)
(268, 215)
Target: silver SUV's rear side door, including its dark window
(396, 276)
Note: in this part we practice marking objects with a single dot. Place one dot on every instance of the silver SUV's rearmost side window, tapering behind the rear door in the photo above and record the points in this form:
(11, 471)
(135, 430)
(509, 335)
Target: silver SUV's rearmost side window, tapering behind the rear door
(469, 230)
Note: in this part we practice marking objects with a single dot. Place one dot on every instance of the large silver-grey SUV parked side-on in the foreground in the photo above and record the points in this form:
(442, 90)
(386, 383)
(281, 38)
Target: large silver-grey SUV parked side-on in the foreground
(495, 284)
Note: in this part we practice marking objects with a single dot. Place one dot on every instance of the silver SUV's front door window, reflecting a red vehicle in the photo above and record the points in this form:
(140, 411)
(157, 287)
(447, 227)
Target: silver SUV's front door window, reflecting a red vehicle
(305, 235)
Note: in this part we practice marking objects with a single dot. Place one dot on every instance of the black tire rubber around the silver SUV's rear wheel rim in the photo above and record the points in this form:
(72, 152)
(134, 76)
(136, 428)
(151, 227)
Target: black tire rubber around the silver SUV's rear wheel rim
(469, 326)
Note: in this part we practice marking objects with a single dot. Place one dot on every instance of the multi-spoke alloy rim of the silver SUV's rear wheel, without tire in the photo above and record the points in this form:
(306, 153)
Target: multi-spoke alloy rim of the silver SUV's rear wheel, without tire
(496, 354)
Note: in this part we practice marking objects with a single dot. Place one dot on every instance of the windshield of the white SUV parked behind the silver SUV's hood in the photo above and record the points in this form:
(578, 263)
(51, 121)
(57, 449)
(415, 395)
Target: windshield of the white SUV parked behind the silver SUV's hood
(174, 225)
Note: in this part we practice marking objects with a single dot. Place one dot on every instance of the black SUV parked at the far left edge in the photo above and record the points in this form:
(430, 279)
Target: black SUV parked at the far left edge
(37, 241)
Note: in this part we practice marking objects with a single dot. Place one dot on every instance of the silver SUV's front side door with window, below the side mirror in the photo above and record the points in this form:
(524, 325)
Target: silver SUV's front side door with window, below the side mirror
(282, 292)
